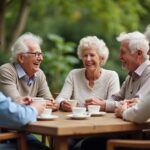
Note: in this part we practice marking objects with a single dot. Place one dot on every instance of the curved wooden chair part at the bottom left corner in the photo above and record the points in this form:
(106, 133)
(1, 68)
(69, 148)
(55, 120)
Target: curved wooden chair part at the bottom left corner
(22, 145)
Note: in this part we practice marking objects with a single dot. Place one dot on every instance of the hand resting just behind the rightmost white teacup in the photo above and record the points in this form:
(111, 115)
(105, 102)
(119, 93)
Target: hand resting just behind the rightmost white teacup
(94, 101)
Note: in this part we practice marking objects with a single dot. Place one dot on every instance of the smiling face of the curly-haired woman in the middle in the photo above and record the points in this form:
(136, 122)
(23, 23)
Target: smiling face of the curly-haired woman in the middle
(91, 60)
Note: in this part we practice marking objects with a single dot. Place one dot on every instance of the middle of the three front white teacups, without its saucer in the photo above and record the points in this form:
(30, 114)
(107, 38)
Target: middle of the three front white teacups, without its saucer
(79, 111)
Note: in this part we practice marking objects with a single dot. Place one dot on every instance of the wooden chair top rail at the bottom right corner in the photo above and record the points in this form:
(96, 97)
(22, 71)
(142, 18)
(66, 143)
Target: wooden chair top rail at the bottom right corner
(113, 144)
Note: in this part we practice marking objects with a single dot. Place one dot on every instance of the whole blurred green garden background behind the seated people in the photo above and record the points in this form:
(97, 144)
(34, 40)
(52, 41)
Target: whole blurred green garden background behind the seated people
(62, 23)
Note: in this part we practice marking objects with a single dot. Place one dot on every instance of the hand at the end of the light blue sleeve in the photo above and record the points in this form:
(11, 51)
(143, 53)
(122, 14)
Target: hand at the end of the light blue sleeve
(39, 106)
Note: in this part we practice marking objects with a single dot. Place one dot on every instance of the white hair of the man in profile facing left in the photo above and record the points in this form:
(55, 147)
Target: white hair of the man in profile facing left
(136, 41)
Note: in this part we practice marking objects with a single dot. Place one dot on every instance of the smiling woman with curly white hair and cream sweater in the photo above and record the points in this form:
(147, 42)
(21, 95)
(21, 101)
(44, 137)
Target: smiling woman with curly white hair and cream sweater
(91, 83)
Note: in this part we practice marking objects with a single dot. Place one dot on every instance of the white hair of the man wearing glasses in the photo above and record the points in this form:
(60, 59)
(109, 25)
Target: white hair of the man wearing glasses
(20, 45)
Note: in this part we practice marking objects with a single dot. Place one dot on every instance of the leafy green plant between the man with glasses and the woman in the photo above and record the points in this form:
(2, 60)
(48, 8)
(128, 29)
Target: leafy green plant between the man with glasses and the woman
(58, 61)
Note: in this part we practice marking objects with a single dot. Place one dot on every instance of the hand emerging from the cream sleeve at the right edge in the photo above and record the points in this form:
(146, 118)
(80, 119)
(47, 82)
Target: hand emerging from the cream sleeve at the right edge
(120, 109)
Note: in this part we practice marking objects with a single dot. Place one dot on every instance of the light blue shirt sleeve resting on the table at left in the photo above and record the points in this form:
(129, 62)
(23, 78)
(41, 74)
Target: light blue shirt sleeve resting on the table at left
(13, 115)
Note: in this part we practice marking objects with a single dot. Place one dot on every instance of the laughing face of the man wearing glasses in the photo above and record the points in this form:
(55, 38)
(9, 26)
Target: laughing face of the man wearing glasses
(29, 61)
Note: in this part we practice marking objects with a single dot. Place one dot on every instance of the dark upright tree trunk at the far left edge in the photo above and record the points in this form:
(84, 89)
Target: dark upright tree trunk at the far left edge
(2, 23)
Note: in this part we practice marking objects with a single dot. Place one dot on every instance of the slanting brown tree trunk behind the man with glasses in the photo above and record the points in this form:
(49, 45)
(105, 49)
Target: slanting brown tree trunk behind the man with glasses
(20, 21)
